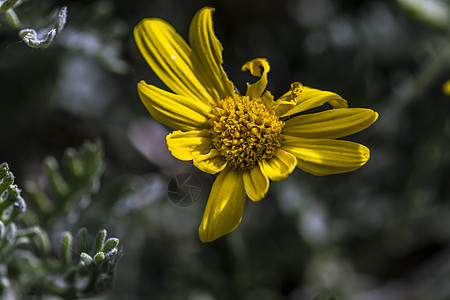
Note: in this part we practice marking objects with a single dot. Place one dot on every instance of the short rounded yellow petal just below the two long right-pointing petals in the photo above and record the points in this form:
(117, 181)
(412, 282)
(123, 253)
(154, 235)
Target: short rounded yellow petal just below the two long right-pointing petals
(280, 165)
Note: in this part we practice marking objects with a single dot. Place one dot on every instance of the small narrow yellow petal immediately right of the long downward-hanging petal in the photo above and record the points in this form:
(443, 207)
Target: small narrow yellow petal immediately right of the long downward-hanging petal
(256, 183)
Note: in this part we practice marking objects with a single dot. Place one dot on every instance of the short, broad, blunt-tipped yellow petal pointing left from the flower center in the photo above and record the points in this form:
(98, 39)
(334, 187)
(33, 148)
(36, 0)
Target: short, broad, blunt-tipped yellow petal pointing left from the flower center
(187, 145)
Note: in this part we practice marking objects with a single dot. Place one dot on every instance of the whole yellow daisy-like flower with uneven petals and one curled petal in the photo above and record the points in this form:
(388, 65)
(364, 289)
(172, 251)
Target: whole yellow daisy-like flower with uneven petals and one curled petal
(247, 139)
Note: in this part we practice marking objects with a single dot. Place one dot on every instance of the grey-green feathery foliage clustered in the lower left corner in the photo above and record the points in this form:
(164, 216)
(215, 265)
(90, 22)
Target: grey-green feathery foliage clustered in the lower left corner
(29, 267)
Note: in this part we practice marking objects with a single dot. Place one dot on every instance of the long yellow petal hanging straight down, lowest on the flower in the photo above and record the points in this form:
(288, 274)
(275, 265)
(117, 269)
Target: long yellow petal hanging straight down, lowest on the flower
(225, 206)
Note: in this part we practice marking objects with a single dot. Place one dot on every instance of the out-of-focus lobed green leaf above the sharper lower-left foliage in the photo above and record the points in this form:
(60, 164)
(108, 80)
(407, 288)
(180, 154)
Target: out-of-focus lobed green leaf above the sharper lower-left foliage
(69, 185)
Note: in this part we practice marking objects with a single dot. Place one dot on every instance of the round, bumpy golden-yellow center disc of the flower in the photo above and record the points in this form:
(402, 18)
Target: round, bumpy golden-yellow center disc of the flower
(245, 131)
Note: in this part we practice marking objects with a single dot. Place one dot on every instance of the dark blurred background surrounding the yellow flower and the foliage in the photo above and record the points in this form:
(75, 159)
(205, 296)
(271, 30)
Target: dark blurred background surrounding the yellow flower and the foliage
(382, 232)
